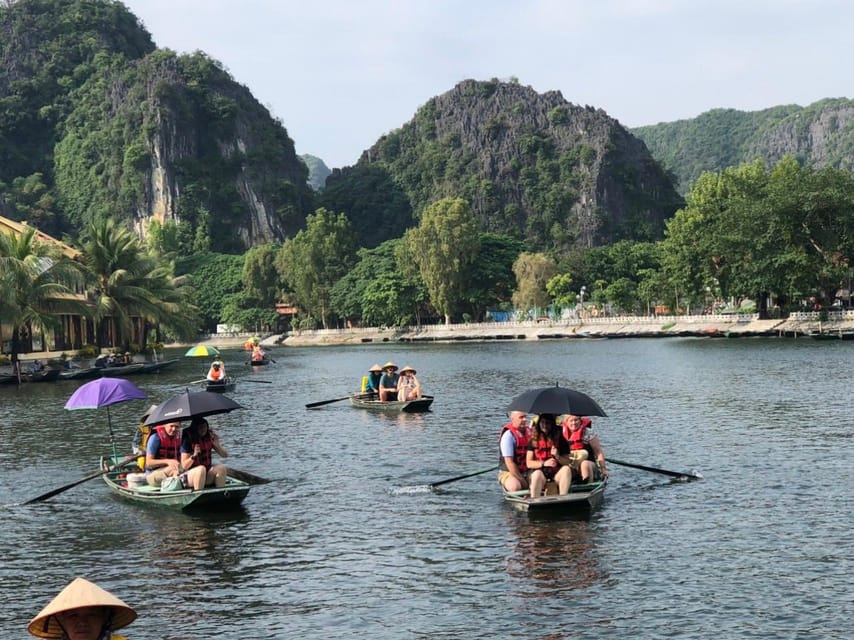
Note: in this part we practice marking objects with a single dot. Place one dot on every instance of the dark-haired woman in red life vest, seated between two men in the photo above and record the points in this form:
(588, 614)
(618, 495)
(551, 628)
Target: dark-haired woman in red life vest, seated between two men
(547, 457)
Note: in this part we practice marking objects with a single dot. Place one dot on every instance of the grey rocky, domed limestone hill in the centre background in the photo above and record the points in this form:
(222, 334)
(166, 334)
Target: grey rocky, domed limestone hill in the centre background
(532, 164)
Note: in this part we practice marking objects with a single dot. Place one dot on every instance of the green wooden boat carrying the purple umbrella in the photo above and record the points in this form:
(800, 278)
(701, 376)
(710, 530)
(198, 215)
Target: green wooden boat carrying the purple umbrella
(231, 495)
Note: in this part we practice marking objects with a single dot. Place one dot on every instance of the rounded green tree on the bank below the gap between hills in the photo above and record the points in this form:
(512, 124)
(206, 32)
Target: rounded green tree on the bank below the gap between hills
(311, 262)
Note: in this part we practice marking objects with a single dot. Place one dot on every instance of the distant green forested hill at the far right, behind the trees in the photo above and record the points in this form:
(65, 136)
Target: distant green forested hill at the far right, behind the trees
(821, 134)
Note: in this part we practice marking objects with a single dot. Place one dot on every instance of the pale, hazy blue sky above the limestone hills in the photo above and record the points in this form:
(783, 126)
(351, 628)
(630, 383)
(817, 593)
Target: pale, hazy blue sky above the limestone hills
(339, 74)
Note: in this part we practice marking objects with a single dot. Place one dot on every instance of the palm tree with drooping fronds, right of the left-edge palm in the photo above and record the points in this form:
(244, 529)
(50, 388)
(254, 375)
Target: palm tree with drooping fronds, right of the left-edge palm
(126, 282)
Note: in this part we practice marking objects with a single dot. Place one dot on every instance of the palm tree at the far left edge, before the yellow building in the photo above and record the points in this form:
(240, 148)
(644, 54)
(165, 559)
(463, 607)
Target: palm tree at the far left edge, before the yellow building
(36, 286)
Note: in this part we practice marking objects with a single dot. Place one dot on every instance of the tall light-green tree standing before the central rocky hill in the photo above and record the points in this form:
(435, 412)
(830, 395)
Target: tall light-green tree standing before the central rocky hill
(443, 248)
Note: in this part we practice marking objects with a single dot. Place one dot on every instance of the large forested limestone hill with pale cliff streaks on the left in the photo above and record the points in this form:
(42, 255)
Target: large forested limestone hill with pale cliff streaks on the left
(95, 122)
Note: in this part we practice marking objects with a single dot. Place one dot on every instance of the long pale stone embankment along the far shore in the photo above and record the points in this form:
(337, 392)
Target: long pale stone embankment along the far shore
(743, 325)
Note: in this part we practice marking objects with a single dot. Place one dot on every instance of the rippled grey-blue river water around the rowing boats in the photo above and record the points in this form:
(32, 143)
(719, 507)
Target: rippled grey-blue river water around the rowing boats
(349, 543)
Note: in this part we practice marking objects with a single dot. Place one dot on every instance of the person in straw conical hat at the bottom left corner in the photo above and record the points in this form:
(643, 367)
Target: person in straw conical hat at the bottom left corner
(82, 611)
